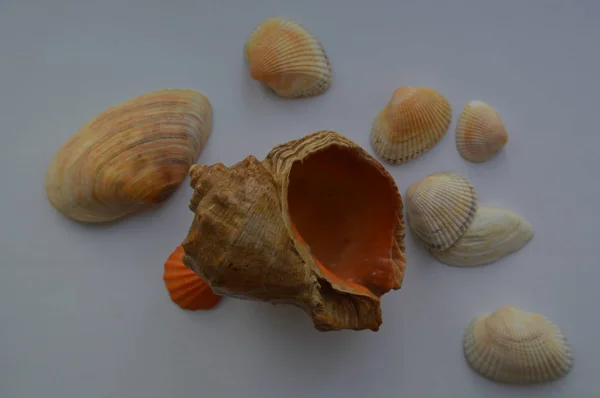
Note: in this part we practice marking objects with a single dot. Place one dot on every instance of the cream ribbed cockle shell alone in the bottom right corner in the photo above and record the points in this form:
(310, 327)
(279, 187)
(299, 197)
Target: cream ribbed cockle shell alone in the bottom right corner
(516, 347)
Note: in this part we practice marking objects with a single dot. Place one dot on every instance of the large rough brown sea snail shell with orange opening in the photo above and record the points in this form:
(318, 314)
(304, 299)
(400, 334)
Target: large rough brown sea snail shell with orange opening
(317, 224)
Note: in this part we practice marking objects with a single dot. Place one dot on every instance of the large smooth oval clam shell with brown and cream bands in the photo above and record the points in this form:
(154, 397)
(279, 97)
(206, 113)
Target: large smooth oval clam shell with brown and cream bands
(130, 157)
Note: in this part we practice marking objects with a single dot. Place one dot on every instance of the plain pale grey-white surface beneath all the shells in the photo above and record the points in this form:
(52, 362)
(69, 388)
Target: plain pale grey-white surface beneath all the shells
(83, 309)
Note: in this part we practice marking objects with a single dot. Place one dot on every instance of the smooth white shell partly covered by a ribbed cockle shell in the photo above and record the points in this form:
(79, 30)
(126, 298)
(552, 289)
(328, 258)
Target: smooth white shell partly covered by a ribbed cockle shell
(494, 233)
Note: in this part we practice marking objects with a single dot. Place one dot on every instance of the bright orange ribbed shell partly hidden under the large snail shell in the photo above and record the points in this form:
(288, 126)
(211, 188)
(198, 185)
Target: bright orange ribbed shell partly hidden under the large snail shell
(185, 287)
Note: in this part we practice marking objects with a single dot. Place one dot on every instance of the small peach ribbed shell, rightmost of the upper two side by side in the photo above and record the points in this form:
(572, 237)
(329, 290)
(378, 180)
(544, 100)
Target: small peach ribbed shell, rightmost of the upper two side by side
(480, 132)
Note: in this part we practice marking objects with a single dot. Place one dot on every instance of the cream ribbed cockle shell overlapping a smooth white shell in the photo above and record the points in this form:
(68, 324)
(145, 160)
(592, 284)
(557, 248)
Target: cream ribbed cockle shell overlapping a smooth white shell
(440, 208)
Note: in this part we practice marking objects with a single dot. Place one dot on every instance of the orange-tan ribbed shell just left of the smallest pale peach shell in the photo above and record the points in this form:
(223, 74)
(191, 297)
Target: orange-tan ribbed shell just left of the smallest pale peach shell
(413, 121)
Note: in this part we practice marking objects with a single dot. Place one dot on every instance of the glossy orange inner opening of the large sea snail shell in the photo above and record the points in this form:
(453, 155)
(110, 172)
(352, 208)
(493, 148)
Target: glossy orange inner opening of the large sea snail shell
(345, 209)
